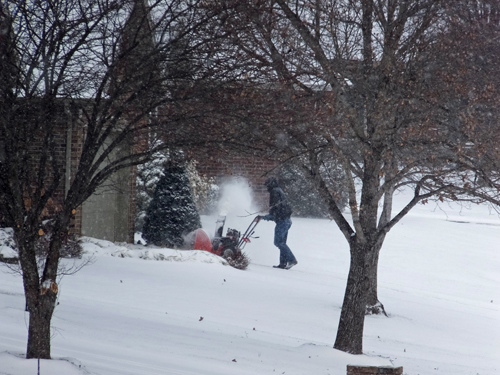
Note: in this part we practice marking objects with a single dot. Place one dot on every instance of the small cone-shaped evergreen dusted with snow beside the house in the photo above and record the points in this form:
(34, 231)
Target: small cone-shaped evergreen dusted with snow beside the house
(172, 212)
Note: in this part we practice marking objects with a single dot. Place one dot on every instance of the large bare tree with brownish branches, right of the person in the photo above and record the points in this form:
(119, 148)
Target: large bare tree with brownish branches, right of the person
(362, 84)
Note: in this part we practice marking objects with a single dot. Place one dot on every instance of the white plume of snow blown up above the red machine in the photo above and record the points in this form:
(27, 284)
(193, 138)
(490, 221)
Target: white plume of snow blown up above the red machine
(236, 198)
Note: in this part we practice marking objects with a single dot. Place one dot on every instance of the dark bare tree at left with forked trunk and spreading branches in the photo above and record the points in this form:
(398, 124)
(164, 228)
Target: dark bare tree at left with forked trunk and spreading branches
(103, 67)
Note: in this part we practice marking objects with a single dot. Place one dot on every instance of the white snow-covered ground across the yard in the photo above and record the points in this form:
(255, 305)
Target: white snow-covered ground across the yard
(150, 311)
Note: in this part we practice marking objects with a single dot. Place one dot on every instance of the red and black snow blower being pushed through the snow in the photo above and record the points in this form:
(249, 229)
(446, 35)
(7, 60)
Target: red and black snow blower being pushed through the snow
(229, 246)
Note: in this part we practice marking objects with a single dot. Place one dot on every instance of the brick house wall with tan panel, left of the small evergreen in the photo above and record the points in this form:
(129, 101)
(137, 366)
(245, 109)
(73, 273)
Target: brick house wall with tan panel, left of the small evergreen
(109, 213)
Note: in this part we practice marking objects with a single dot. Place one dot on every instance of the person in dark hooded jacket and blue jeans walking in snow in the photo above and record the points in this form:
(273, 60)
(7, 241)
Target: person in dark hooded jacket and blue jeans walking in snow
(280, 212)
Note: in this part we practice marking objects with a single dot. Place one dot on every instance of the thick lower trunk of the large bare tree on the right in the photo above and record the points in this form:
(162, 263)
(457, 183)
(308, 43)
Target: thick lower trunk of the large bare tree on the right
(352, 317)
